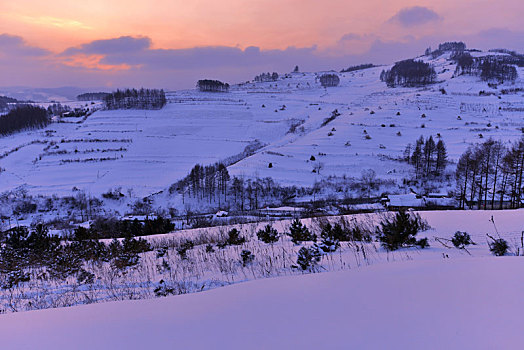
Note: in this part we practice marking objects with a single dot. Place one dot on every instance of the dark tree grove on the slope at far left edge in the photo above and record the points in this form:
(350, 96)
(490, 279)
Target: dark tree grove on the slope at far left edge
(23, 117)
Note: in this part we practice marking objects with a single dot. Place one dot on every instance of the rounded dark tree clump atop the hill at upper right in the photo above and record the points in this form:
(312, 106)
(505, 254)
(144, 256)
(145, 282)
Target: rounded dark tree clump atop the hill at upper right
(409, 73)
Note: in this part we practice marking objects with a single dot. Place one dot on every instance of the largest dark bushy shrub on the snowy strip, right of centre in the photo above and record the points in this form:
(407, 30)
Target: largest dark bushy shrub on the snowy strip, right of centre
(401, 231)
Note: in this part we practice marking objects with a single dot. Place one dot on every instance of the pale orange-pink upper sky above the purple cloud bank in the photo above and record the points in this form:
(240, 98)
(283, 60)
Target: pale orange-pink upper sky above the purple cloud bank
(267, 24)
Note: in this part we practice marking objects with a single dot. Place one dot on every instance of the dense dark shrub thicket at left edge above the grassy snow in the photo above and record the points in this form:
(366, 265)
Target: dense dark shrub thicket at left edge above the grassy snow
(23, 250)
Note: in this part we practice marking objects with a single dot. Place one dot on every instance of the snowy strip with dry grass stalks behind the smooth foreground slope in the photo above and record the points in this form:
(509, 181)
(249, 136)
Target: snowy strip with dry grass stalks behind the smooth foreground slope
(202, 269)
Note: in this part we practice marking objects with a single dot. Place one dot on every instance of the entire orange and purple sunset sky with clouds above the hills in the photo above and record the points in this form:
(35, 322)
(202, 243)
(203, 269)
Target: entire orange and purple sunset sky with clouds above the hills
(173, 43)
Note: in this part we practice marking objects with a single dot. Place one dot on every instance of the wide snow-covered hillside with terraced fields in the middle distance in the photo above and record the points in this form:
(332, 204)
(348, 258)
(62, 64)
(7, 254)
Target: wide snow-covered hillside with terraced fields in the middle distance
(146, 151)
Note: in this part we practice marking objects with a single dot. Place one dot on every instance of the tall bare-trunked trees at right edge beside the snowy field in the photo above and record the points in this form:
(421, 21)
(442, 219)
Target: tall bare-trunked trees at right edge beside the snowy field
(489, 175)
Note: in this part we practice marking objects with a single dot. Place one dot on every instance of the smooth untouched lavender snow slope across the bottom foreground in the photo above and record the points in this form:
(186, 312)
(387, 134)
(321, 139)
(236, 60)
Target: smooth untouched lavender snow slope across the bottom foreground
(455, 304)
